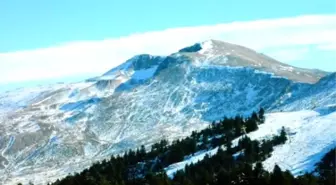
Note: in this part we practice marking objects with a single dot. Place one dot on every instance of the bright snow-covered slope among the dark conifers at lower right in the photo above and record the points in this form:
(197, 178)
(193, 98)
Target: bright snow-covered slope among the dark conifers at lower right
(311, 135)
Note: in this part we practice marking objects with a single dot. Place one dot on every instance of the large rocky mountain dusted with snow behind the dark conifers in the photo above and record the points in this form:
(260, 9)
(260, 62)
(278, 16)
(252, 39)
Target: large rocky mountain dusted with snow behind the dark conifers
(64, 128)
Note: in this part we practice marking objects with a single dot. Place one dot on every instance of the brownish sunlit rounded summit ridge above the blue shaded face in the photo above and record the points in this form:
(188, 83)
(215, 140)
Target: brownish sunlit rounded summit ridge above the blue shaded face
(227, 54)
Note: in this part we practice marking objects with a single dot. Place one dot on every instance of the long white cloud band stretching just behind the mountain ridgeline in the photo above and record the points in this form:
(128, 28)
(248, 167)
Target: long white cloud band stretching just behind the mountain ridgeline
(99, 56)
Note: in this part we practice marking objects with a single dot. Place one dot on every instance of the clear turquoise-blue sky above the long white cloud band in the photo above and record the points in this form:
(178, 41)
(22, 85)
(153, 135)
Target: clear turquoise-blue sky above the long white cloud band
(39, 23)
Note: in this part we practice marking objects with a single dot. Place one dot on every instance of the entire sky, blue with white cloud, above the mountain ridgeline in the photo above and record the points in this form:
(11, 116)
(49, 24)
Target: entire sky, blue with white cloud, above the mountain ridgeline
(44, 40)
